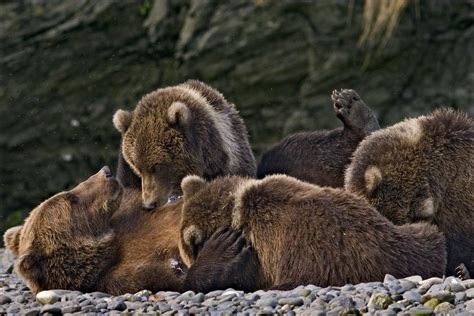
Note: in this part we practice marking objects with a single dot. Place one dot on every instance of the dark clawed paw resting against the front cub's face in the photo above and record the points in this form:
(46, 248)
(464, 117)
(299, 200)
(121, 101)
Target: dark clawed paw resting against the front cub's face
(225, 261)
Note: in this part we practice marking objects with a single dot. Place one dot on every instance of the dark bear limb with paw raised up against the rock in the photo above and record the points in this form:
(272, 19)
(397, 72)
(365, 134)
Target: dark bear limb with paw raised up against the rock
(321, 157)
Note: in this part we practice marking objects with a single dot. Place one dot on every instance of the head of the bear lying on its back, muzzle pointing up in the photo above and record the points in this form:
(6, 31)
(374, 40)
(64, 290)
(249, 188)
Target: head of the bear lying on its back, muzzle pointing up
(67, 241)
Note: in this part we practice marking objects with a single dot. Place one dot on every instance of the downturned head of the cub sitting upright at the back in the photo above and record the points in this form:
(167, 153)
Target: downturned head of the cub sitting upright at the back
(160, 140)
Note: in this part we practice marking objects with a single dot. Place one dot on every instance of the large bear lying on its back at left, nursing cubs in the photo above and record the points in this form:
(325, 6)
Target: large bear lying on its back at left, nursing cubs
(96, 237)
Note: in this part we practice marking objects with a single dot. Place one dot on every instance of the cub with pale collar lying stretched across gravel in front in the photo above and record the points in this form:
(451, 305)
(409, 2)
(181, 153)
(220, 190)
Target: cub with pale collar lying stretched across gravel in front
(303, 233)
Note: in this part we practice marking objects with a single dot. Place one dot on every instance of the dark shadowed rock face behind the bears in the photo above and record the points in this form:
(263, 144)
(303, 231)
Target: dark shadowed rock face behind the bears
(66, 66)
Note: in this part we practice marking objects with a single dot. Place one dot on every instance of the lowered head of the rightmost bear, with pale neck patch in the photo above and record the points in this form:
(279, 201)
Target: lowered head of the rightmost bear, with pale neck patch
(391, 168)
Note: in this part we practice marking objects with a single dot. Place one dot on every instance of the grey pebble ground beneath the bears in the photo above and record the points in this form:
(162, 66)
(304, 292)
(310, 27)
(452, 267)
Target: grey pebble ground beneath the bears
(411, 296)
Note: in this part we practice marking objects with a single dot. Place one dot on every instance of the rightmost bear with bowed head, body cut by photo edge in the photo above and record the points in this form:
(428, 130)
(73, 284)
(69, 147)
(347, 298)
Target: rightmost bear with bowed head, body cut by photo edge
(422, 170)
